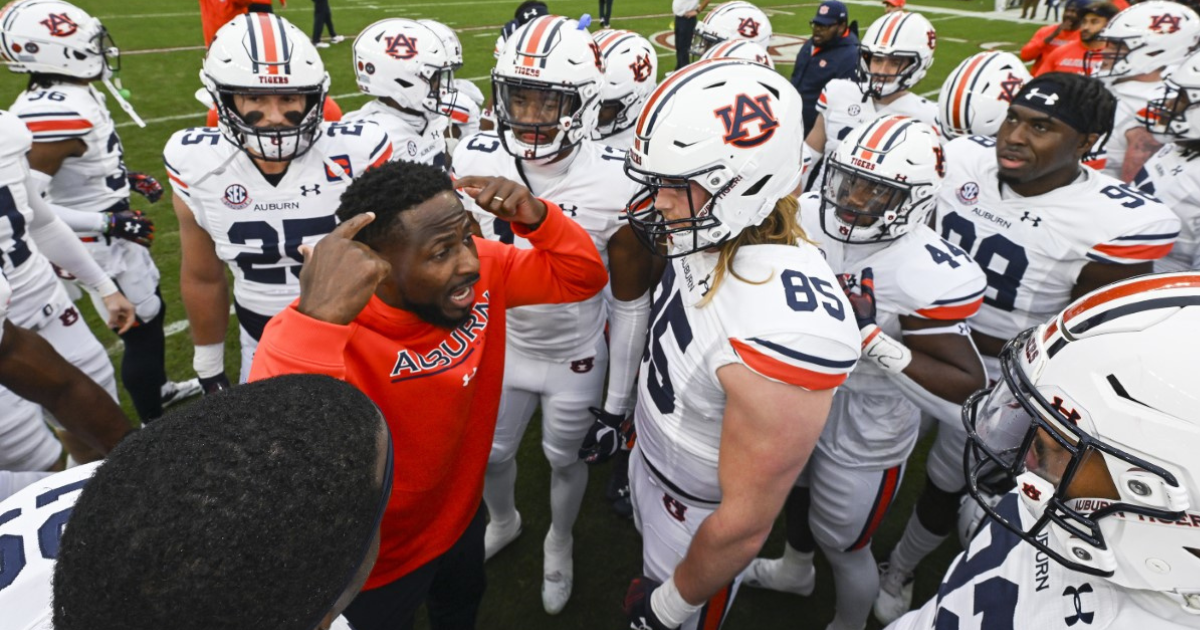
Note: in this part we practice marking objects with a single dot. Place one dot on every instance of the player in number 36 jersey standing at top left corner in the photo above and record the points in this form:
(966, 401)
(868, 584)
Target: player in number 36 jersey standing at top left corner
(79, 167)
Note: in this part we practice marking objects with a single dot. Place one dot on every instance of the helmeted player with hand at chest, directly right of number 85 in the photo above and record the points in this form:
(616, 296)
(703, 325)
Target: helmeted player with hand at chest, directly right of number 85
(913, 293)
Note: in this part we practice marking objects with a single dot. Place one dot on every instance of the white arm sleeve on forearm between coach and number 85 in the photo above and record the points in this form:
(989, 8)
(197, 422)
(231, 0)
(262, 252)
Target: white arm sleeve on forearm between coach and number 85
(627, 338)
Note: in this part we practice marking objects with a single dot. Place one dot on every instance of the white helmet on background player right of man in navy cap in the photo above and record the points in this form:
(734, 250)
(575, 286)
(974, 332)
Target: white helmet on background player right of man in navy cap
(903, 37)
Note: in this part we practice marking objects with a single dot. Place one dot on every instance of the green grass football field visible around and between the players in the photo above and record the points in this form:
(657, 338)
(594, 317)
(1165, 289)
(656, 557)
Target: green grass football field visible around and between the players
(163, 55)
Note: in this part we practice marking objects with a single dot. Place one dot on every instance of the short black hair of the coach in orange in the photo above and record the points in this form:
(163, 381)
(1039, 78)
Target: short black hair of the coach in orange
(389, 190)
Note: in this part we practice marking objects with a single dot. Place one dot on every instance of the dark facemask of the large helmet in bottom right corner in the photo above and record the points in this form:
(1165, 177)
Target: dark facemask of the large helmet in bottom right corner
(1064, 473)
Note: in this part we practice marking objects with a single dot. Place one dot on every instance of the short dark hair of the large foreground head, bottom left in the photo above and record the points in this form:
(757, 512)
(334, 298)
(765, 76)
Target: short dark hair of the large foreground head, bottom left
(253, 508)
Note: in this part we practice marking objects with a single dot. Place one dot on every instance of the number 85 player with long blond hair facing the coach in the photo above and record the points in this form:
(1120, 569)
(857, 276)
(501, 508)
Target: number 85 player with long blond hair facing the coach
(749, 337)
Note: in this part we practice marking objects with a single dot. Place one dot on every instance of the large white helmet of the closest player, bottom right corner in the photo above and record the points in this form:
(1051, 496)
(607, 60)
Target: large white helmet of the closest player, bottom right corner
(1096, 421)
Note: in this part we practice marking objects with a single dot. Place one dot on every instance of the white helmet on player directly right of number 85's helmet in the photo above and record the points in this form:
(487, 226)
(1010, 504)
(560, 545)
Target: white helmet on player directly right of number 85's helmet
(883, 181)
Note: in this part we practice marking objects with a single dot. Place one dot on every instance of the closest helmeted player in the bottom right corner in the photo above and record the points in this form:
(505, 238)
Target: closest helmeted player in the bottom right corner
(1093, 419)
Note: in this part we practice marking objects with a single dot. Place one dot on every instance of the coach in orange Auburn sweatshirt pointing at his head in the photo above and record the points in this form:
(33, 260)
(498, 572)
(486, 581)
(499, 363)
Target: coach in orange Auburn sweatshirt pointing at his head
(403, 302)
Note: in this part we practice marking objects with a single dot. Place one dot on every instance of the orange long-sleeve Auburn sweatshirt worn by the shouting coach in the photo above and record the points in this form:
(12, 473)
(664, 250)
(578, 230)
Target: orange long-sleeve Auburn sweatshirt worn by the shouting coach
(439, 389)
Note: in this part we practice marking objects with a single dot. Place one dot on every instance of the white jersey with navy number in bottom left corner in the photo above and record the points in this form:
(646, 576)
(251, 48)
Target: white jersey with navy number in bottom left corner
(32, 524)
